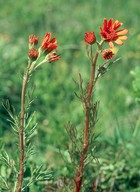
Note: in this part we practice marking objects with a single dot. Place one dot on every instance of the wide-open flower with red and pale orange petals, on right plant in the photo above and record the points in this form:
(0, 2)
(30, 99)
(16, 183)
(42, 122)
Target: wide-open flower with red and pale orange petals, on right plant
(110, 32)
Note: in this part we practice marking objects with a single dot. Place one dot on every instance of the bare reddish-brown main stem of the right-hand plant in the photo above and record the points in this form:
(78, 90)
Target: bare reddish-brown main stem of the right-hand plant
(79, 176)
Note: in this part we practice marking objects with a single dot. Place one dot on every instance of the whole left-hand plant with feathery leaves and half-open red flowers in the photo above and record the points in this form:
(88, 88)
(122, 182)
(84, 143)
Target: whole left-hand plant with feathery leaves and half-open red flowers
(22, 124)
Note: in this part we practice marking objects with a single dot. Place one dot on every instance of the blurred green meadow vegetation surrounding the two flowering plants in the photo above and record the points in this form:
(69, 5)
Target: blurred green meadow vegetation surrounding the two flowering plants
(116, 162)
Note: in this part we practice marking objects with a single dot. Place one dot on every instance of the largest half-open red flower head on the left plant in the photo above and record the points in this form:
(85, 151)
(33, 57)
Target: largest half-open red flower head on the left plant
(49, 44)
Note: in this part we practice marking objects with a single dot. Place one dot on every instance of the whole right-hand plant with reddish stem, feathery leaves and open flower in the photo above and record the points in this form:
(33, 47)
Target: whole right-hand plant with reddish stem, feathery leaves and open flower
(83, 145)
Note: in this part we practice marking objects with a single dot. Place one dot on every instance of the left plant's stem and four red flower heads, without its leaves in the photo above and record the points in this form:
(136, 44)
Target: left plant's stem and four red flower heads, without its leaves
(47, 46)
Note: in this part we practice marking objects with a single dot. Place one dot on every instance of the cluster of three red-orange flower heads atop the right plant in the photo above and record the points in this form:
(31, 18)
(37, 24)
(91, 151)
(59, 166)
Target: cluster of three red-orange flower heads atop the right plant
(111, 34)
